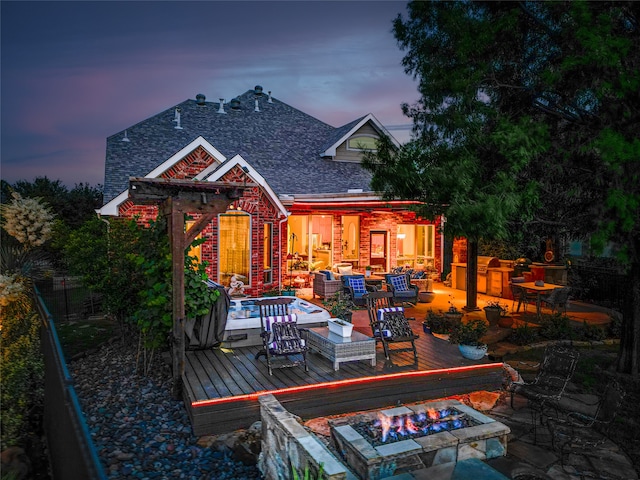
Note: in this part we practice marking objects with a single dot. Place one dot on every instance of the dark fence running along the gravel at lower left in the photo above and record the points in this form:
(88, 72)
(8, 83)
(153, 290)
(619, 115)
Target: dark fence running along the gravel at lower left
(71, 451)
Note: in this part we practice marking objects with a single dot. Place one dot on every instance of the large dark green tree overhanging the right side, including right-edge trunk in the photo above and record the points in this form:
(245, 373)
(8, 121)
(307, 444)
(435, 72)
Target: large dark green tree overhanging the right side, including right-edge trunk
(528, 121)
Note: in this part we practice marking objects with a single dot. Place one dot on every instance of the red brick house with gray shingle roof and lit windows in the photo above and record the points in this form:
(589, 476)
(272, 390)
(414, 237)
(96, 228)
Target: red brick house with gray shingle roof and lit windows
(308, 206)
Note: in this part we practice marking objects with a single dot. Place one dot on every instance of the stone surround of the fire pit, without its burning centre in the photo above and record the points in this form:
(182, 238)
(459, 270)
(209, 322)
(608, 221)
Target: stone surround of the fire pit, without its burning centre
(484, 441)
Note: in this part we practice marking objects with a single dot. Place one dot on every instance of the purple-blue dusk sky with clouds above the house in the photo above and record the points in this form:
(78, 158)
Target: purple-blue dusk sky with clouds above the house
(74, 73)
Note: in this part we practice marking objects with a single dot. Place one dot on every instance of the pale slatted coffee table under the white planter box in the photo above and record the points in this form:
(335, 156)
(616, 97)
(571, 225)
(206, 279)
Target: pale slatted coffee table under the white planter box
(341, 349)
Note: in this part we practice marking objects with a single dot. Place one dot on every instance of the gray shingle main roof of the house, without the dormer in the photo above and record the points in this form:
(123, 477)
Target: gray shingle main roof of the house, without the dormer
(282, 143)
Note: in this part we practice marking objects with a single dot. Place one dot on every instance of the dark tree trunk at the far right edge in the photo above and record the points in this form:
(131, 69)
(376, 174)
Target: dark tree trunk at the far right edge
(630, 335)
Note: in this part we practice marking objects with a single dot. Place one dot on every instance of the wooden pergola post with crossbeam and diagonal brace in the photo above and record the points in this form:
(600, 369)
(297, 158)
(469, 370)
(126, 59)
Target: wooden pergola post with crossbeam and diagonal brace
(176, 198)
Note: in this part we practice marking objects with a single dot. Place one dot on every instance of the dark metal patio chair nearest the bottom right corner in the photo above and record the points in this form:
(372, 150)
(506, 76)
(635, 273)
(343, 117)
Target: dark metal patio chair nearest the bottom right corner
(578, 433)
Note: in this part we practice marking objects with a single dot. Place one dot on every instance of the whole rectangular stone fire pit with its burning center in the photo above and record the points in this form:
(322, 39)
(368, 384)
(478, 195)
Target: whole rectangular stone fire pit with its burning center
(458, 433)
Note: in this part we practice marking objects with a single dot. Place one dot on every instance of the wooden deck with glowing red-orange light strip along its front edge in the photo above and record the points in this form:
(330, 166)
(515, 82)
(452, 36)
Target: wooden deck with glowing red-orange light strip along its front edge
(221, 387)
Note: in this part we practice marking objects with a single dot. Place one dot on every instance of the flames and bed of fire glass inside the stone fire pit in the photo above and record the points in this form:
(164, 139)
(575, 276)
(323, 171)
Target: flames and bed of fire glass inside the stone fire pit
(391, 429)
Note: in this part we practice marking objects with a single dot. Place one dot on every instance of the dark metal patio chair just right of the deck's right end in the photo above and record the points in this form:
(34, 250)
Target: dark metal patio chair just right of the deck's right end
(556, 369)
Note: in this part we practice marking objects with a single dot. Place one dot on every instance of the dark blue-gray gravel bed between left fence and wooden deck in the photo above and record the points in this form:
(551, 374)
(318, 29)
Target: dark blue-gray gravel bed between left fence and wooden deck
(138, 430)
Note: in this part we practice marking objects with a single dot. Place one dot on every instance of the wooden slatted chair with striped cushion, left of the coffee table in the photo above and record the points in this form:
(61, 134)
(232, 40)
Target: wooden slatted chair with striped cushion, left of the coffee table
(280, 335)
